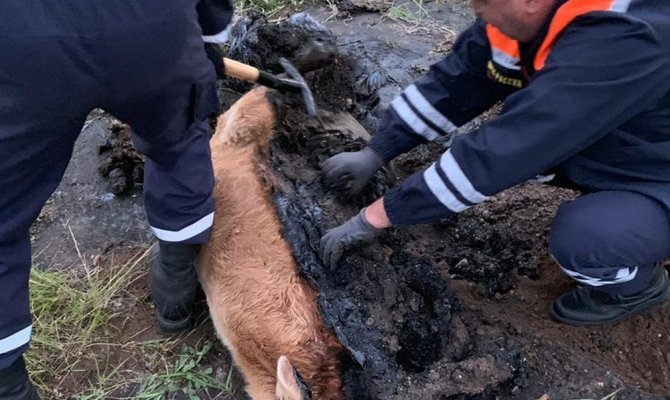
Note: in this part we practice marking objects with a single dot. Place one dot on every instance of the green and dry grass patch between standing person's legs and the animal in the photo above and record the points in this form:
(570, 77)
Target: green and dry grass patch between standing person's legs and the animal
(76, 351)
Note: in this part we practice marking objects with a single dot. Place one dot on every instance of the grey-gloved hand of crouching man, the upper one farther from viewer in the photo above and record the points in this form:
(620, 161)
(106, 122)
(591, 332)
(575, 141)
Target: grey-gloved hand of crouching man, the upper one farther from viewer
(351, 171)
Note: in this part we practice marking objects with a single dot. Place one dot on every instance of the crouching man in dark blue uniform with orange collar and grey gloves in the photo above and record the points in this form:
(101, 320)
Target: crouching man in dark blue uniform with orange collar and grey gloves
(586, 91)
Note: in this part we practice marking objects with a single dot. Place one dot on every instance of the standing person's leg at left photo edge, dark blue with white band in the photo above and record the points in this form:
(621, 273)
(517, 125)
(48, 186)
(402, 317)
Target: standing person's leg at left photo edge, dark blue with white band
(43, 105)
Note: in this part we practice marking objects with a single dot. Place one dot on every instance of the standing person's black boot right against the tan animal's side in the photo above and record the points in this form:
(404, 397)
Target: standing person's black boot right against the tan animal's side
(173, 285)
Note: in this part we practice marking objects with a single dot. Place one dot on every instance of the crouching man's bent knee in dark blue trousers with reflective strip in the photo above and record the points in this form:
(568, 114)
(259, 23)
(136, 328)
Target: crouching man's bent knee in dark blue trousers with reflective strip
(611, 240)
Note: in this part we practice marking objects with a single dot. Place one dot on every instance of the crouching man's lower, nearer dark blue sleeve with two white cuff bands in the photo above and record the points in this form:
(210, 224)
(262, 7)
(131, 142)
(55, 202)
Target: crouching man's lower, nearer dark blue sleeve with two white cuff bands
(603, 70)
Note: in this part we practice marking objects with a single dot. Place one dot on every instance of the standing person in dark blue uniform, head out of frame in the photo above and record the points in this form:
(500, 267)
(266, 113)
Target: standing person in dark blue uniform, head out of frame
(144, 61)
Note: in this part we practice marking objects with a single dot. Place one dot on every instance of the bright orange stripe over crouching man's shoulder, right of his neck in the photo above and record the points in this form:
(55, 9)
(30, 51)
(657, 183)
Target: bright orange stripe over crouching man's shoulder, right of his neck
(566, 14)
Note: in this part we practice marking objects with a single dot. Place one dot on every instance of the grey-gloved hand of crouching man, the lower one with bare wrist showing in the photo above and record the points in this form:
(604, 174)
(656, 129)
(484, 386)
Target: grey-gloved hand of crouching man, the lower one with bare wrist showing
(353, 233)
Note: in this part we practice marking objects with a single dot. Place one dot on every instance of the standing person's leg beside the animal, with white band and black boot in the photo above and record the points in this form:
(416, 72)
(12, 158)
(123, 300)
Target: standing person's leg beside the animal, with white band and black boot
(165, 89)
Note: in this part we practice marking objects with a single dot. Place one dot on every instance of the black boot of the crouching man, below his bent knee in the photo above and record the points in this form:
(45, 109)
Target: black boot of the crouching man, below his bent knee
(587, 306)
